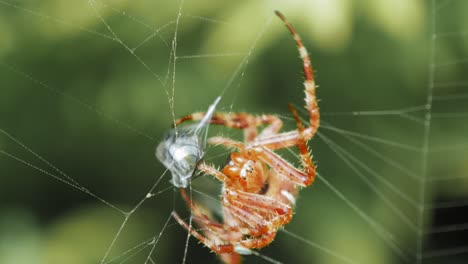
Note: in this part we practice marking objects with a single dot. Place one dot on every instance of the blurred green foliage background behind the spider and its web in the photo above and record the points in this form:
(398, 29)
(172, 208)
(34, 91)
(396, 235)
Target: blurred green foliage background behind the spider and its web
(90, 87)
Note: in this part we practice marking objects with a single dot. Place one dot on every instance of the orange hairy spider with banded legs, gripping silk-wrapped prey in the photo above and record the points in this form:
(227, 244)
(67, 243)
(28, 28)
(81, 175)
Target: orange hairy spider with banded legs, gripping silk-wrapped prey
(260, 187)
